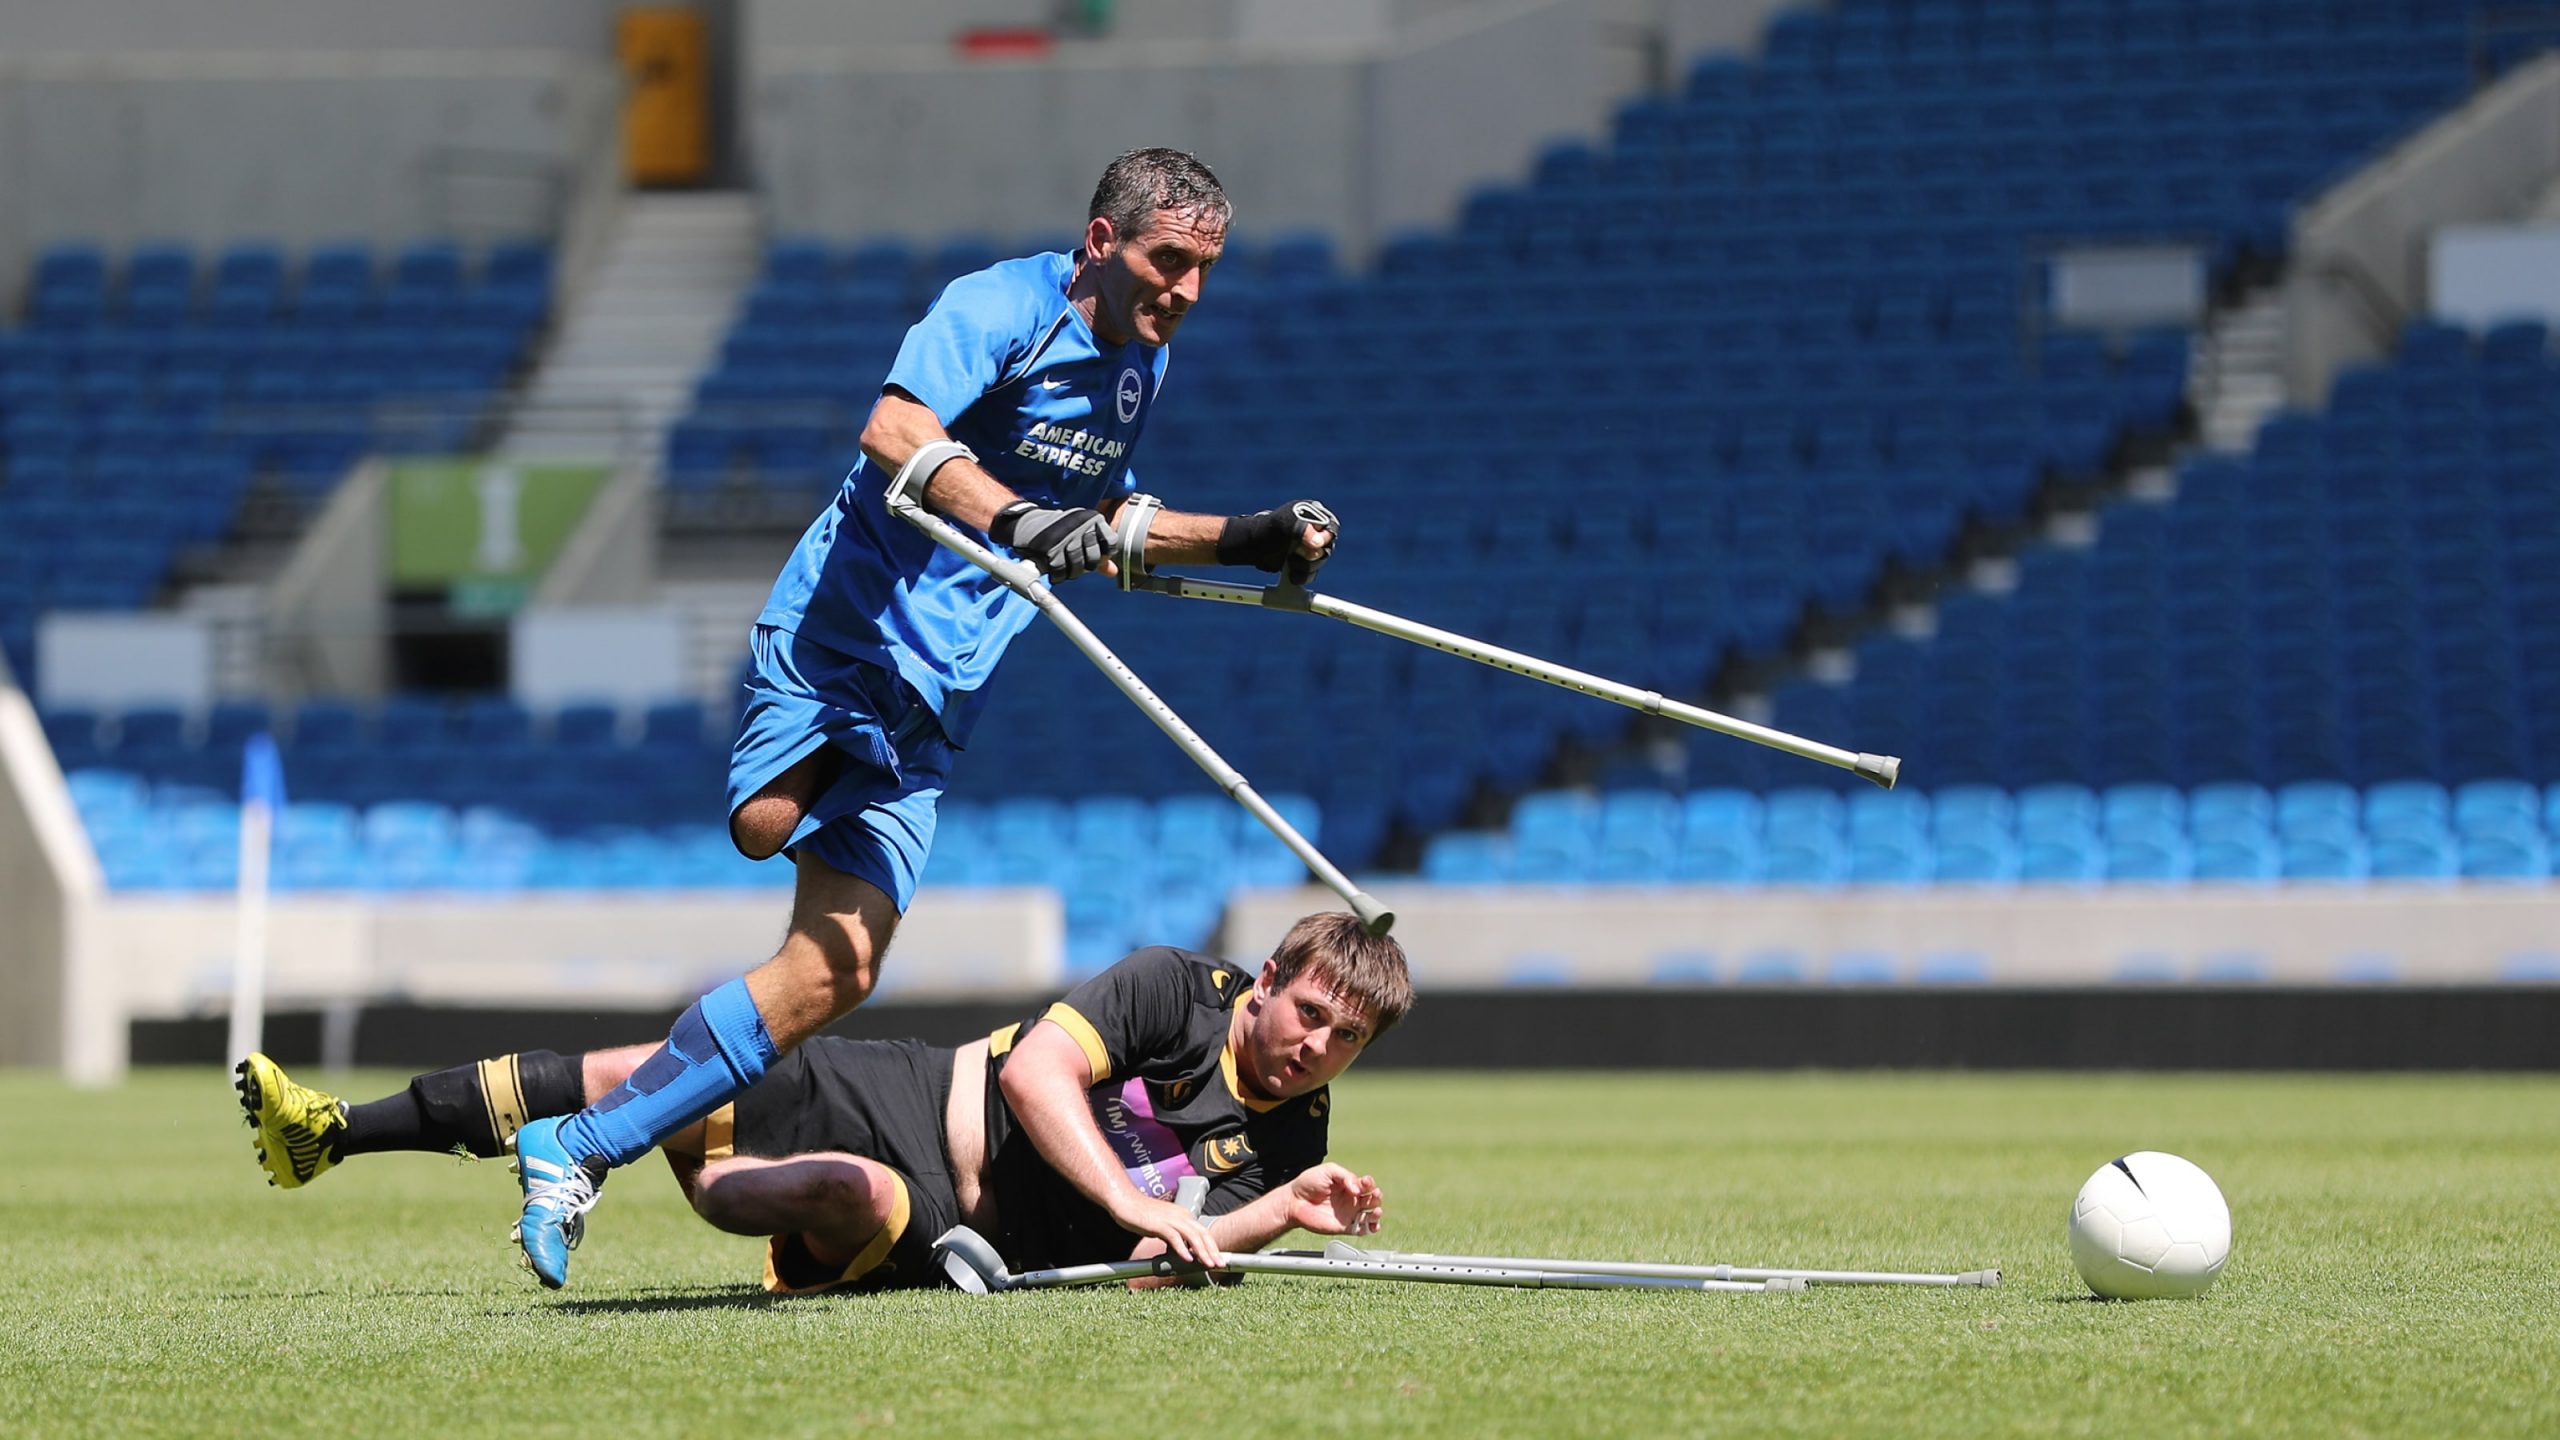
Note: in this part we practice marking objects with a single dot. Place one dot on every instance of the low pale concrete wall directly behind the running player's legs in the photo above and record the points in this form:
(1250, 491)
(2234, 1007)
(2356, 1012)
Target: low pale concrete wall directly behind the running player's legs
(593, 952)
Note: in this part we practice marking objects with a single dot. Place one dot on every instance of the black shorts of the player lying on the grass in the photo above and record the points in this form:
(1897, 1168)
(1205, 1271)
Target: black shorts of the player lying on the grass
(867, 1098)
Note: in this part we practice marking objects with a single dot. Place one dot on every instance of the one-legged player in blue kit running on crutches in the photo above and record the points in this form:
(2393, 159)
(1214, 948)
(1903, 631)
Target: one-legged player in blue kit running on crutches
(1012, 411)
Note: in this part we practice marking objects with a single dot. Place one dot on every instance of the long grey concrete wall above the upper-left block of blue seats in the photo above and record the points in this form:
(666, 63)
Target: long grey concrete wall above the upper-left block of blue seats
(296, 147)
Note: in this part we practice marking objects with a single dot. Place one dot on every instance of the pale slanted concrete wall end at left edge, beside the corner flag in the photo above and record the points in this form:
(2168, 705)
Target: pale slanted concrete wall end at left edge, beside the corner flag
(58, 1008)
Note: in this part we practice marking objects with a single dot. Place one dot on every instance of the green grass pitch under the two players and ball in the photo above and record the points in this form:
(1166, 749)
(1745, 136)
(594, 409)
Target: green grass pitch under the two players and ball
(2395, 1272)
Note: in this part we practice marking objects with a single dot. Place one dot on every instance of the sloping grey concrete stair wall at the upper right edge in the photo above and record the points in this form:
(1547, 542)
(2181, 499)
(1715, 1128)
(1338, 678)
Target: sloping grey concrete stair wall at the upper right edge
(2484, 163)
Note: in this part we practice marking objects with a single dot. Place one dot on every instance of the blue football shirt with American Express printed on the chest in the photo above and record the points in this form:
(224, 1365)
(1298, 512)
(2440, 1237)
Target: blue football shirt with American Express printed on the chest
(1018, 375)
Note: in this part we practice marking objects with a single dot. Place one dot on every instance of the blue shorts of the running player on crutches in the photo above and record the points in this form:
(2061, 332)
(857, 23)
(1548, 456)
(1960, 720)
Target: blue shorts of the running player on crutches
(877, 816)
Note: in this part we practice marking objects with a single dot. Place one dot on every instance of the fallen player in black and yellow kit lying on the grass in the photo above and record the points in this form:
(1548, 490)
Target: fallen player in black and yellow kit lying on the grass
(1046, 1136)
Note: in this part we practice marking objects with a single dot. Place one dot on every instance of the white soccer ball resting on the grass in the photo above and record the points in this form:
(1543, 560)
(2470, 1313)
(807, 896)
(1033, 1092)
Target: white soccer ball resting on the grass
(2152, 1226)
